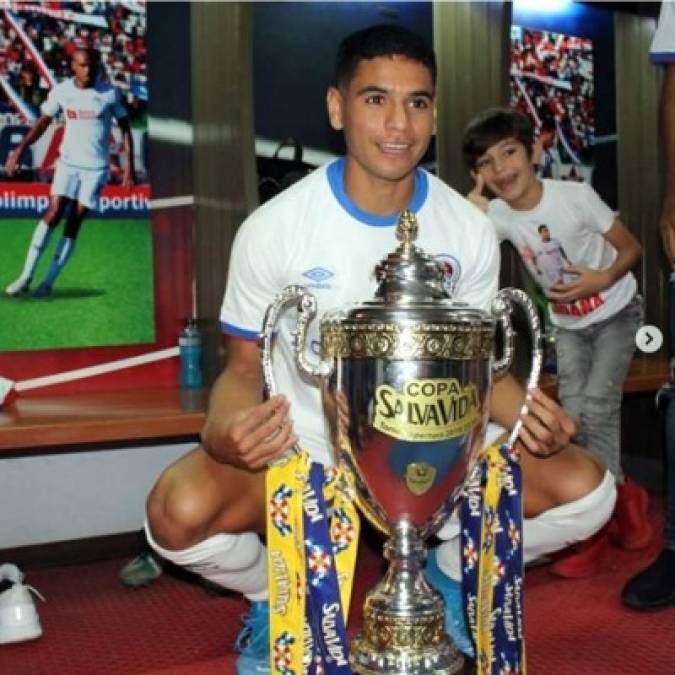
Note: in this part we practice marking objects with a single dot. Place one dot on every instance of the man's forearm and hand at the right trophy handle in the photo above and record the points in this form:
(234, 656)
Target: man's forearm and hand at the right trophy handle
(547, 428)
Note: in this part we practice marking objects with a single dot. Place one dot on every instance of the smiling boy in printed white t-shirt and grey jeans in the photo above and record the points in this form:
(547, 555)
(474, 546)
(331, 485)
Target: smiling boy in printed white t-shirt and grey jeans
(580, 253)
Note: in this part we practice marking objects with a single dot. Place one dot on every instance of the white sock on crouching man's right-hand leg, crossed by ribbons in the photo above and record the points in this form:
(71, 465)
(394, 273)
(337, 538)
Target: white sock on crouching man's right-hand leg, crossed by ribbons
(548, 532)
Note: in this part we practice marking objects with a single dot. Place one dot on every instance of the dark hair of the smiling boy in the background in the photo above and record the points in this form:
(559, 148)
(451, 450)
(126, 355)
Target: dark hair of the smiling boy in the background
(492, 126)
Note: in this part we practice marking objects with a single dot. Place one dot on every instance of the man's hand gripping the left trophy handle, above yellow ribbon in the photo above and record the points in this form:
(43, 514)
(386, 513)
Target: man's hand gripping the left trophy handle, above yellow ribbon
(252, 437)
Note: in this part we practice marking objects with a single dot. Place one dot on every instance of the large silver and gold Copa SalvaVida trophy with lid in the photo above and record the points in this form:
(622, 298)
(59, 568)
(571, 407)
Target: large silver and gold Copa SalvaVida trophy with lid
(406, 381)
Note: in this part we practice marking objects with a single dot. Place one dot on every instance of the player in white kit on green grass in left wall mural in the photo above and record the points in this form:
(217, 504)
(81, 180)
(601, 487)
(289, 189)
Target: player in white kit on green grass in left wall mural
(88, 105)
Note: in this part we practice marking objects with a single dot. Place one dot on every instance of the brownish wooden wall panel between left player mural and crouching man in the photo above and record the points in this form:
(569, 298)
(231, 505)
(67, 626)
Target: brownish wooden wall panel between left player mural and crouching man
(224, 152)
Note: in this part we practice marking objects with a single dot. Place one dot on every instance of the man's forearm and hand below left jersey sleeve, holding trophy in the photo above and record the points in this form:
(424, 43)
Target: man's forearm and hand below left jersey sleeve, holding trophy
(240, 429)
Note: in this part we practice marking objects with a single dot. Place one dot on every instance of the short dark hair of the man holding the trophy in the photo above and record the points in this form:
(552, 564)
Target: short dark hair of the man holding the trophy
(381, 40)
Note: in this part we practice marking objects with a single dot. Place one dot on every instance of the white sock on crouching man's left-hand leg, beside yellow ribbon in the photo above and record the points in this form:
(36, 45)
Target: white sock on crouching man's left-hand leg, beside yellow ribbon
(234, 561)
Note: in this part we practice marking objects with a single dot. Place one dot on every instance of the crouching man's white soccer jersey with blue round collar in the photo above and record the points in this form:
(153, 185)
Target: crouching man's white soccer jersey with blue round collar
(313, 235)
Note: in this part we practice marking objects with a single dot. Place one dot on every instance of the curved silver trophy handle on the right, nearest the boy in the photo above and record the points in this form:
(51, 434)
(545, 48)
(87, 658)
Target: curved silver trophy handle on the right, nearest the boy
(502, 308)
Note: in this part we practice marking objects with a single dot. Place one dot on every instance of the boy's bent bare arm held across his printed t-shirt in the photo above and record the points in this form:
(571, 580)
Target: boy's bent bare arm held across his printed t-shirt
(590, 281)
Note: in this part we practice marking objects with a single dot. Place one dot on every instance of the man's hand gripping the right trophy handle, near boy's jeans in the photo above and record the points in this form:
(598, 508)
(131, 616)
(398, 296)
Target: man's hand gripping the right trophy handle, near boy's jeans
(547, 428)
